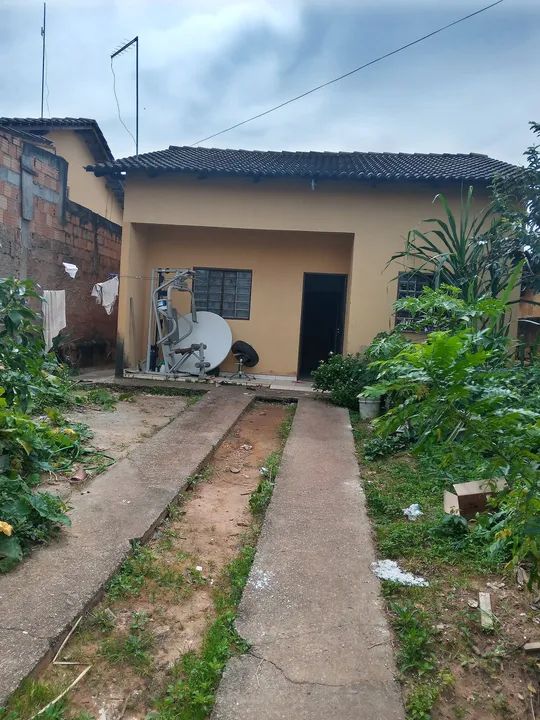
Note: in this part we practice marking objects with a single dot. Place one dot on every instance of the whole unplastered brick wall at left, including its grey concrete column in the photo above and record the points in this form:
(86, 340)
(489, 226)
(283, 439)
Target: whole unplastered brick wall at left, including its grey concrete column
(40, 228)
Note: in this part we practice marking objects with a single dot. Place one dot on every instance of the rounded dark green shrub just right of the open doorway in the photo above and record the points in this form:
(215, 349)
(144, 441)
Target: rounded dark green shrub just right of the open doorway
(344, 376)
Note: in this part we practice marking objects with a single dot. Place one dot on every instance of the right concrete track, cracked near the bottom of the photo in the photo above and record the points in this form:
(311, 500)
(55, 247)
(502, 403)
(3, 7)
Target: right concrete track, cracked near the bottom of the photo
(320, 643)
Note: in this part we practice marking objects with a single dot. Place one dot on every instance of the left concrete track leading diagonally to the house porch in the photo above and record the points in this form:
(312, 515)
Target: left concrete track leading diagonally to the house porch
(40, 600)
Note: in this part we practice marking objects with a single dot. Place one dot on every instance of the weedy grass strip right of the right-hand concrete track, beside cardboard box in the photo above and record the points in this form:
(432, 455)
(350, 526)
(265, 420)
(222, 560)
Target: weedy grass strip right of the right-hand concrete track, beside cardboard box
(447, 550)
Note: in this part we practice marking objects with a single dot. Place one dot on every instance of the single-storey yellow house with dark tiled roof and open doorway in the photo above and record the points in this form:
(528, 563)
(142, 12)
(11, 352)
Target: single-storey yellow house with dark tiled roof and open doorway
(291, 247)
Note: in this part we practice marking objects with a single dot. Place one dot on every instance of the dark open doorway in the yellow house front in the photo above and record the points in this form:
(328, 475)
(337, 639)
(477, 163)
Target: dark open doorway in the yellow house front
(323, 316)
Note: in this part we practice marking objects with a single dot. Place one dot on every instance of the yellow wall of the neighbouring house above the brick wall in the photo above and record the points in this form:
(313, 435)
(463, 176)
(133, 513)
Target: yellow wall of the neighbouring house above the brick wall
(84, 187)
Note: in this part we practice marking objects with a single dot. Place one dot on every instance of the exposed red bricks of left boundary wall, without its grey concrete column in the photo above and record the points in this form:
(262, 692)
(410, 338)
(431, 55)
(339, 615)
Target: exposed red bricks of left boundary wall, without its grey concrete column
(53, 242)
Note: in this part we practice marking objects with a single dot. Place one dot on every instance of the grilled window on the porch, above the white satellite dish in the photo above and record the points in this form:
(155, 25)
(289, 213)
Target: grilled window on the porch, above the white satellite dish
(225, 292)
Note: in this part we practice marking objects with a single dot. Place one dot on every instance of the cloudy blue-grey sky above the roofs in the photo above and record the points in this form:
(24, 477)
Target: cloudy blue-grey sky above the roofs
(207, 64)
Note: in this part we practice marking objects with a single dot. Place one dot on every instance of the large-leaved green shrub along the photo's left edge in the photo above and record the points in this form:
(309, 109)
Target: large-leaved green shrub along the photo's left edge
(32, 380)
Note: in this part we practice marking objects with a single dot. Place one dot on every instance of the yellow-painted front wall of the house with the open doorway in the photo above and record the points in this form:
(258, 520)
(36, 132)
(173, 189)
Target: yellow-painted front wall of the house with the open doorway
(303, 230)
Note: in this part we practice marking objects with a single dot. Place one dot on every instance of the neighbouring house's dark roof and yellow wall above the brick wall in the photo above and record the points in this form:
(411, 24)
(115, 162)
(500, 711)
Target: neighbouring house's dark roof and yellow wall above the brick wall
(80, 142)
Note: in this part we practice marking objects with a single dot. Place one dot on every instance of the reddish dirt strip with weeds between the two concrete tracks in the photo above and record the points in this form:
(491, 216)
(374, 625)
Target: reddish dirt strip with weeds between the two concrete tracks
(160, 603)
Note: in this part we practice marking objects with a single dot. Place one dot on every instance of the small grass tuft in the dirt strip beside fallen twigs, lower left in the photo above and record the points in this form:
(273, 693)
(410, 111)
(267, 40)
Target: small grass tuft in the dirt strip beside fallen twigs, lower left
(133, 647)
